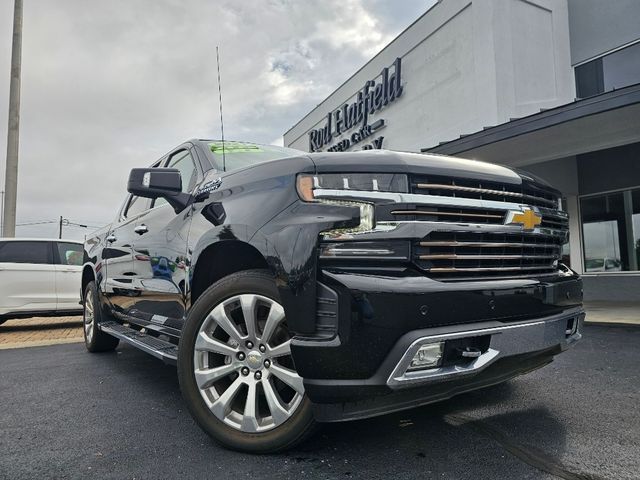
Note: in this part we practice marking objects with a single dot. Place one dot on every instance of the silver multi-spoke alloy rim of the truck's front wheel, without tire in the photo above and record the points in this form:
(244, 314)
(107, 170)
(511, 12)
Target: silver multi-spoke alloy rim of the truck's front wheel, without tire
(243, 366)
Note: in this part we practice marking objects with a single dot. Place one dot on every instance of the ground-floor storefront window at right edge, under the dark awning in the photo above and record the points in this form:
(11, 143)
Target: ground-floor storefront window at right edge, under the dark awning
(611, 231)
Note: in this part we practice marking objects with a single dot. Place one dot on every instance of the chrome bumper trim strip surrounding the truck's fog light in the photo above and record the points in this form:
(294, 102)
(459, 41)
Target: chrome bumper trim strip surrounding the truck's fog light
(506, 341)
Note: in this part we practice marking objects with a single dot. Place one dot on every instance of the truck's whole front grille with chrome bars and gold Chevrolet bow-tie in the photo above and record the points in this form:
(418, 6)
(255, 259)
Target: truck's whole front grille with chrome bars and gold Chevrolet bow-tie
(462, 228)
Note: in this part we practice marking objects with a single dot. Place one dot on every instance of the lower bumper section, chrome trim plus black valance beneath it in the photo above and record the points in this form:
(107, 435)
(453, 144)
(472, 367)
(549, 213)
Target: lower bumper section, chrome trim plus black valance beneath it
(514, 350)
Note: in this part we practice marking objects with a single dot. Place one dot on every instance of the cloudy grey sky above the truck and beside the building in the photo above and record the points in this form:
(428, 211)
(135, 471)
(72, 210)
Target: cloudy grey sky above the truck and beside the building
(109, 86)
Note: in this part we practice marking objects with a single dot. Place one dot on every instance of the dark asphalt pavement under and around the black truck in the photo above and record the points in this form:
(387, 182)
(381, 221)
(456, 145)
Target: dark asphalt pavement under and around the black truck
(66, 413)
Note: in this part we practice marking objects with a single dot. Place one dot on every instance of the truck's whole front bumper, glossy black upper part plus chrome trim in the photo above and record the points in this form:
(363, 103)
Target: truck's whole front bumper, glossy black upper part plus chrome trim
(382, 321)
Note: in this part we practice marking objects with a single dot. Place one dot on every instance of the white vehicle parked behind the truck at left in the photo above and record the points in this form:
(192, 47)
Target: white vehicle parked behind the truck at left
(40, 277)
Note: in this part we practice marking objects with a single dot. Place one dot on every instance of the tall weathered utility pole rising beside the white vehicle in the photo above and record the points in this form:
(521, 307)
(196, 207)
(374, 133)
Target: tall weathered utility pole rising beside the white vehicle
(11, 174)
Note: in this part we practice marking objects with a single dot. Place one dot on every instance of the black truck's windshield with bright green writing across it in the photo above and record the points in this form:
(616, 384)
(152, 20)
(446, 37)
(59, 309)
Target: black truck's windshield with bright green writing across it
(243, 154)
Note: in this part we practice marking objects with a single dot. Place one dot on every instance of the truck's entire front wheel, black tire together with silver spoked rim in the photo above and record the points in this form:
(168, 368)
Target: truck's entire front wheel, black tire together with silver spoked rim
(231, 371)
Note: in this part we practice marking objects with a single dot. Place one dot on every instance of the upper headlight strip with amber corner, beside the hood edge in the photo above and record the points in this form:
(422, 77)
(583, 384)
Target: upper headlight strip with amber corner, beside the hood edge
(370, 182)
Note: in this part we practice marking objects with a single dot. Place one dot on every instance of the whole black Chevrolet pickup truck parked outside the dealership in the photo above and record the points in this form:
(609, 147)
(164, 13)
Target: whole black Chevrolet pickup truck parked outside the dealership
(294, 288)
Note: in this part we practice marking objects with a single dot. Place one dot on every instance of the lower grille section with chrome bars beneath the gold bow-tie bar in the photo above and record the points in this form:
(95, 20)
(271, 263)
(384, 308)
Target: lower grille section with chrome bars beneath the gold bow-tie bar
(458, 255)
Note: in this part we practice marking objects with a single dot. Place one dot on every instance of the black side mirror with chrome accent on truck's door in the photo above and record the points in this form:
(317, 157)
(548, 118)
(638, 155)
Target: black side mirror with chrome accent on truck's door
(159, 183)
